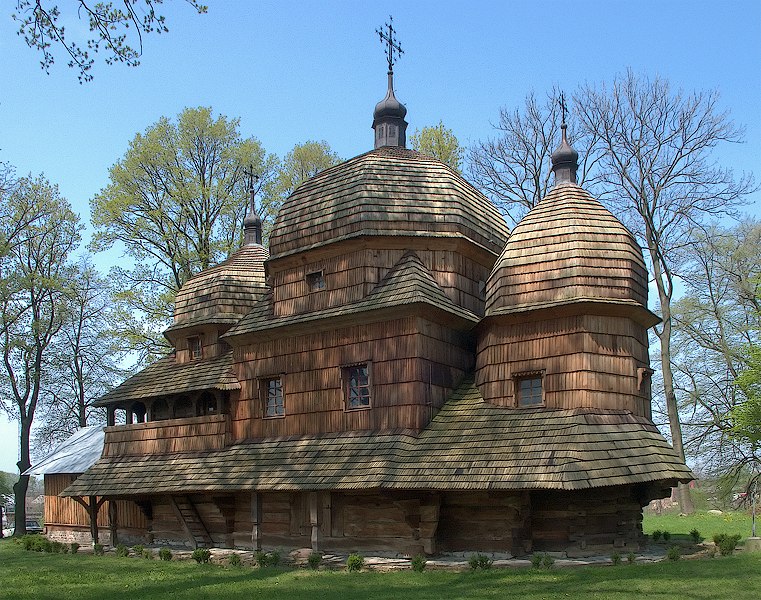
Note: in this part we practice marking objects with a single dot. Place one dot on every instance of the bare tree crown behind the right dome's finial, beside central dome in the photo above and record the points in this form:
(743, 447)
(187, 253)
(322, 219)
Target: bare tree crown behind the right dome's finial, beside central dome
(514, 168)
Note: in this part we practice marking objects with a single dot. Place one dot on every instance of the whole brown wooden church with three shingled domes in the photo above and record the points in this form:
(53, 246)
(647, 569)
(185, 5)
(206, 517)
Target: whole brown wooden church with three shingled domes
(398, 373)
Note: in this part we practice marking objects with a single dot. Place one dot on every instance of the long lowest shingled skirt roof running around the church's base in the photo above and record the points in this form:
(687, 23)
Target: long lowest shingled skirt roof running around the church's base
(468, 445)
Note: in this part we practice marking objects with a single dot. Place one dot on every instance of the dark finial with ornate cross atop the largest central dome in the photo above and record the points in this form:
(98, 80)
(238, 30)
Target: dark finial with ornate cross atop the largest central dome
(388, 118)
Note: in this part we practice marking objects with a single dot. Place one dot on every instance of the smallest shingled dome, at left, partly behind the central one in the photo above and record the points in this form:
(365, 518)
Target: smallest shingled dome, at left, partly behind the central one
(221, 294)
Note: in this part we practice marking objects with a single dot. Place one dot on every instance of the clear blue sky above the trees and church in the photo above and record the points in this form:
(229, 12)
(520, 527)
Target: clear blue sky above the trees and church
(295, 71)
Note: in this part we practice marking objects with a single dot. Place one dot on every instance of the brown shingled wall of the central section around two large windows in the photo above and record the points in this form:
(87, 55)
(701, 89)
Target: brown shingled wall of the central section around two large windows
(415, 364)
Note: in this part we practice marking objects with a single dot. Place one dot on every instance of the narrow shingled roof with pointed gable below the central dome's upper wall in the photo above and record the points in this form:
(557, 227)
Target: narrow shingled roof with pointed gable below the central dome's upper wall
(409, 282)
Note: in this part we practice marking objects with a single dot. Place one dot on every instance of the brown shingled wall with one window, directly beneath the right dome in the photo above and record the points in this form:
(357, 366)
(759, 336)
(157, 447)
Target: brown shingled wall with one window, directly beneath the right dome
(587, 360)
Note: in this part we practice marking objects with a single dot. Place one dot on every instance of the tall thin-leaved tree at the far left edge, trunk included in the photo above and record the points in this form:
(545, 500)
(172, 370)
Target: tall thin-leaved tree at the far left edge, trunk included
(33, 293)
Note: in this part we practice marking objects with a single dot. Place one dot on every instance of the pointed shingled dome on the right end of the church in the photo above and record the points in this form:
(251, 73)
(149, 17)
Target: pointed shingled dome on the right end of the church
(569, 248)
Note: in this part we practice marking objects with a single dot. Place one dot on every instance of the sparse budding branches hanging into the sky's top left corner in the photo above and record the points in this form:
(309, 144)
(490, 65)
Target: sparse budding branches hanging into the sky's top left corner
(110, 29)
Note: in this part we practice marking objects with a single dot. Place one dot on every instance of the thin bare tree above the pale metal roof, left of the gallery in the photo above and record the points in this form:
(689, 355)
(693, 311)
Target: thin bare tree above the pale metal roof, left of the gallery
(85, 362)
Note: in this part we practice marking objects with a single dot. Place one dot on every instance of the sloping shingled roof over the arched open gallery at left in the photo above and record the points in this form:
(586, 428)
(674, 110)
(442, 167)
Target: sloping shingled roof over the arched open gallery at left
(165, 377)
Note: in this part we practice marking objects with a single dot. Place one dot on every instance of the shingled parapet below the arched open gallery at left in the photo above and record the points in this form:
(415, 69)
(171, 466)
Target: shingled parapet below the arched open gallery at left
(162, 437)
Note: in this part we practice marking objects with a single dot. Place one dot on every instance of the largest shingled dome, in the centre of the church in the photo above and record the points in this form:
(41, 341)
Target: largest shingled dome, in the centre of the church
(389, 191)
